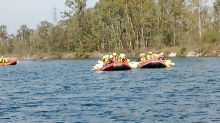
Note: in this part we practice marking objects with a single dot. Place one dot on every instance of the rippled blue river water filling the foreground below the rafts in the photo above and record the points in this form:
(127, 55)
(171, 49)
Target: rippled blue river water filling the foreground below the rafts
(61, 91)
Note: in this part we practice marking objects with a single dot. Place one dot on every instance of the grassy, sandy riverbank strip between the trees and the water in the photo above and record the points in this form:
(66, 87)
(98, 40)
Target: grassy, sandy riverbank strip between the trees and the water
(202, 51)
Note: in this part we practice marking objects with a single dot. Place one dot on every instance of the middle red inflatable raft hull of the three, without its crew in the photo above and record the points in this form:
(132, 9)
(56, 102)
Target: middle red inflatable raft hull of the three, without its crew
(116, 66)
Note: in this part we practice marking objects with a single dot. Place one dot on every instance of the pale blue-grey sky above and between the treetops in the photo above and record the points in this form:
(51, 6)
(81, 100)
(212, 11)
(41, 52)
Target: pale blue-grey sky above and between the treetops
(14, 13)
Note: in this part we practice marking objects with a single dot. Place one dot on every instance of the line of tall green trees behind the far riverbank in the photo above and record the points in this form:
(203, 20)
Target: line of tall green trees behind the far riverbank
(118, 25)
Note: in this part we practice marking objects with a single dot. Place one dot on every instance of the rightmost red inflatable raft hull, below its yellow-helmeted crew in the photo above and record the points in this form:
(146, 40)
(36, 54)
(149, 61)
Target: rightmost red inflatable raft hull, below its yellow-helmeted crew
(154, 63)
